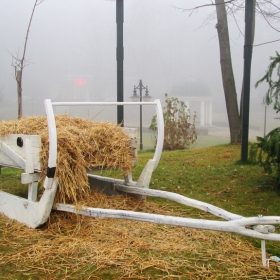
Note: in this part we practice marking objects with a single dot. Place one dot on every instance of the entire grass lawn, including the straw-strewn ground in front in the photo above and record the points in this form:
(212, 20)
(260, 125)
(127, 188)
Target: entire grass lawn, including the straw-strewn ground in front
(74, 247)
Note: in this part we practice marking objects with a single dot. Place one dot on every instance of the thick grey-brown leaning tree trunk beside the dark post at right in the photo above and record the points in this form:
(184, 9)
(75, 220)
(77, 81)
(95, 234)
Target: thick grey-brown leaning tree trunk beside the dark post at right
(227, 73)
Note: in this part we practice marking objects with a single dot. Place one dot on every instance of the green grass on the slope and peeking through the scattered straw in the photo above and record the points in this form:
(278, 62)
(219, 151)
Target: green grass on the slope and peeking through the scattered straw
(212, 174)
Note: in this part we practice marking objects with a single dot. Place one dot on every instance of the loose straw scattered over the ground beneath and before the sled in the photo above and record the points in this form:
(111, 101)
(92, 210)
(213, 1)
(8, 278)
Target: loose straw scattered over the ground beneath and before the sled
(76, 247)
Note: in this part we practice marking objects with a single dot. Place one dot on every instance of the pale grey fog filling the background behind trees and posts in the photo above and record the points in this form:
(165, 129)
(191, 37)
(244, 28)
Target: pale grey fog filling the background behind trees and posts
(76, 39)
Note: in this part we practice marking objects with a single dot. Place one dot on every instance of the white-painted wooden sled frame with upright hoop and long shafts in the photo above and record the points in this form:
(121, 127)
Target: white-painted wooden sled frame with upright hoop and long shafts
(22, 151)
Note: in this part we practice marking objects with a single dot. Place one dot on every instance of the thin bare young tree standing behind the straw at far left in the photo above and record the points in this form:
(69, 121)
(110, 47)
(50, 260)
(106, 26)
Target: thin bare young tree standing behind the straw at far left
(20, 63)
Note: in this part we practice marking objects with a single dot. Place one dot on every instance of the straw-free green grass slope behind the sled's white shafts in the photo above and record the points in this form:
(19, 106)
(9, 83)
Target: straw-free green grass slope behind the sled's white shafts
(215, 175)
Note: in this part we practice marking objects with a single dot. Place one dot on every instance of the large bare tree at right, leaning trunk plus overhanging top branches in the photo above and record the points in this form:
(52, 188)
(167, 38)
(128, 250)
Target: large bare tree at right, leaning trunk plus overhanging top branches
(270, 11)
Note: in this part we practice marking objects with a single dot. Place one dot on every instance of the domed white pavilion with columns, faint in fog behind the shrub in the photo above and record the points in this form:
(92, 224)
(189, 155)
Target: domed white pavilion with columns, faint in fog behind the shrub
(197, 96)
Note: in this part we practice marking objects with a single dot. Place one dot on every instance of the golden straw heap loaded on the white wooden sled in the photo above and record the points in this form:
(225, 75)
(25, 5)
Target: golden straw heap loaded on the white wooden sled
(82, 144)
